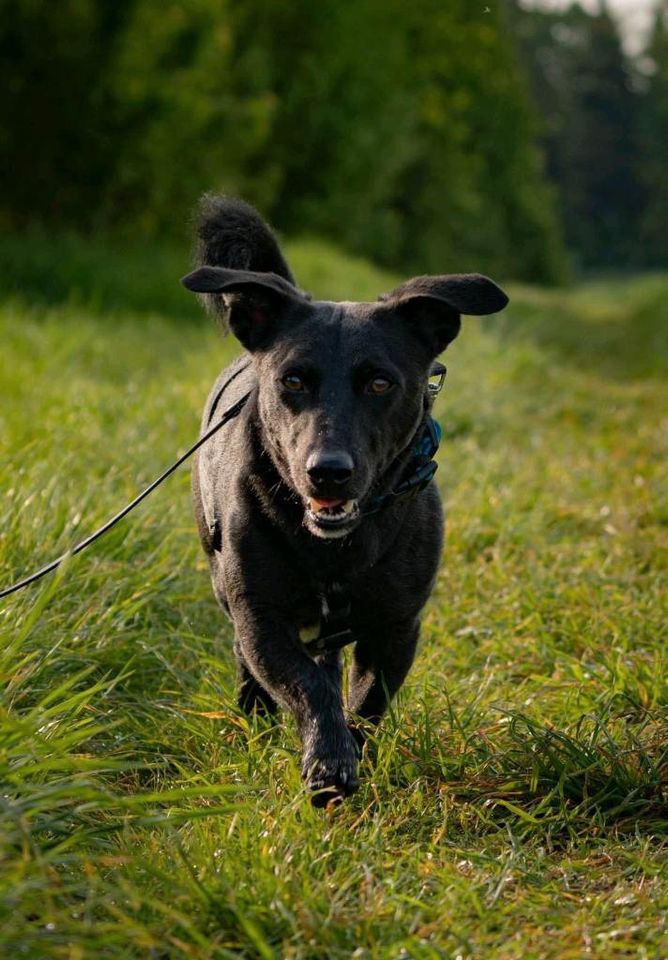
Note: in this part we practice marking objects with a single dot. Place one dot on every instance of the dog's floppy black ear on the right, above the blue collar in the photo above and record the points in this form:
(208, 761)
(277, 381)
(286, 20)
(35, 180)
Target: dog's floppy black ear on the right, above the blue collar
(433, 304)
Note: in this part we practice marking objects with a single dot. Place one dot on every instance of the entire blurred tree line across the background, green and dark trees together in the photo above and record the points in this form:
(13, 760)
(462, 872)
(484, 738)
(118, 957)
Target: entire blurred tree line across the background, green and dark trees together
(427, 136)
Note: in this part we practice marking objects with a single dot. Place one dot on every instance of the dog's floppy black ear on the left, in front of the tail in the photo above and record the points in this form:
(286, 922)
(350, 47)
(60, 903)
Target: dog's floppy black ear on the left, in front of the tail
(254, 302)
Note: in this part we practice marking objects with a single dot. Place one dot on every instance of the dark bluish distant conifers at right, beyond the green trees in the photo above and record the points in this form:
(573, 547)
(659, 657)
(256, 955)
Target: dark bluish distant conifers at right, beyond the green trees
(604, 129)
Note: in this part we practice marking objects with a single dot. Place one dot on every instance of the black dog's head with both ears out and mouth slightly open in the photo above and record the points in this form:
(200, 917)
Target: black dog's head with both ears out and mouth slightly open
(342, 387)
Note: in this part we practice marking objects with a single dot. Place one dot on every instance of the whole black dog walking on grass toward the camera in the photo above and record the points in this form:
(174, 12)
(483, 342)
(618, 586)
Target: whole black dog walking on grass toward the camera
(302, 501)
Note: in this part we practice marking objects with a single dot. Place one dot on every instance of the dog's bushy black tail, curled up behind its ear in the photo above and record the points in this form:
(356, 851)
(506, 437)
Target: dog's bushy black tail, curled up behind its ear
(232, 234)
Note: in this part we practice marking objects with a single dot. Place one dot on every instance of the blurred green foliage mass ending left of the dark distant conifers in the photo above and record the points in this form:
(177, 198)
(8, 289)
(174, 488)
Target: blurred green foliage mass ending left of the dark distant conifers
(400, 132)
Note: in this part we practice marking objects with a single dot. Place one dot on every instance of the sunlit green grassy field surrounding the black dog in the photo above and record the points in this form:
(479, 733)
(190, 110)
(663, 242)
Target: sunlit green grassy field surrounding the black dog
(515, 802)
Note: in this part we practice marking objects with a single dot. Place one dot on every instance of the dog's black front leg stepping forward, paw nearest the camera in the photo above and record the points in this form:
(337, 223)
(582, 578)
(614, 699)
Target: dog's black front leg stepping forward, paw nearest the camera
(310, 691)
